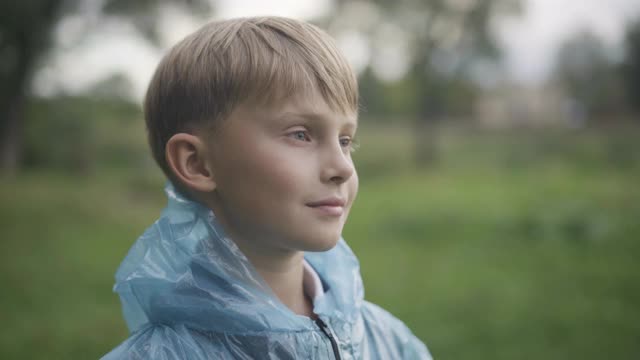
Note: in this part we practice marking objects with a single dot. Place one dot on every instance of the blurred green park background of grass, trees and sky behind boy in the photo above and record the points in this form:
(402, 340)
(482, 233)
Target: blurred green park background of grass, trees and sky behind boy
(499, 207)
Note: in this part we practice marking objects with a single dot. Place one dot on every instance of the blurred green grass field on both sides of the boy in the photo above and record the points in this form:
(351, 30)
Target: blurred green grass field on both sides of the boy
(512, 245)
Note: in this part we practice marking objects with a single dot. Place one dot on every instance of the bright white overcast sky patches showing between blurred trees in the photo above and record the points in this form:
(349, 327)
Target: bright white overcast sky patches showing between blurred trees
(529, 41)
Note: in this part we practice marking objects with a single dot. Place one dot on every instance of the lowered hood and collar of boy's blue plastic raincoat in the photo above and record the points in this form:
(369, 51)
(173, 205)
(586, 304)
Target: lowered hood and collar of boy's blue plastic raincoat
(185, 270)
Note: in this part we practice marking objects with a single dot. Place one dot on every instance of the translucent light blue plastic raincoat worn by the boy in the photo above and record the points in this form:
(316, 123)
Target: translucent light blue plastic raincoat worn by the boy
(188, 292)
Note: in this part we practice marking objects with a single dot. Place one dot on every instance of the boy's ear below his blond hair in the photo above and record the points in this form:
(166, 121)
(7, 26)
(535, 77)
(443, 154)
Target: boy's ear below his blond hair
(187, 157)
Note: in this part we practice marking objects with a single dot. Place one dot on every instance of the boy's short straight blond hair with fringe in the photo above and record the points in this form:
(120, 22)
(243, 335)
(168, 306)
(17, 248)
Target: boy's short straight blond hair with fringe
(226, 63)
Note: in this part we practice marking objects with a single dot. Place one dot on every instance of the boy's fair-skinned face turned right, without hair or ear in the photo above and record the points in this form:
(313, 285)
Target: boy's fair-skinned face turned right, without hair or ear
(285, 180)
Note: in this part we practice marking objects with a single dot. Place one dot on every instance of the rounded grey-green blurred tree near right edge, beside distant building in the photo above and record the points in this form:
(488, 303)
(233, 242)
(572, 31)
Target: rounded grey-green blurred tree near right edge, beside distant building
(582, 61)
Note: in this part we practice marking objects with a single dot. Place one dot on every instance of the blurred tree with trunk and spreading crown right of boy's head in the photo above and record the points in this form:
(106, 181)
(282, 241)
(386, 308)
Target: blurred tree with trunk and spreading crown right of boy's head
(437, 44)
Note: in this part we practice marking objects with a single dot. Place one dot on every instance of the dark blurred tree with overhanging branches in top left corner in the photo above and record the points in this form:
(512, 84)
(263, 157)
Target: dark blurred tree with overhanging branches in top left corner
(26, 38)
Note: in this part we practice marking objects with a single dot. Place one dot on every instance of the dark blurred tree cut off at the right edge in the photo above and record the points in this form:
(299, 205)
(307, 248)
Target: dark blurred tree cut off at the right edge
(631, 65)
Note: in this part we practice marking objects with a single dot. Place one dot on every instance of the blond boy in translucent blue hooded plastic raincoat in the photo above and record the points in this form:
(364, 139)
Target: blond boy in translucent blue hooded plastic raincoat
(252, 120)
